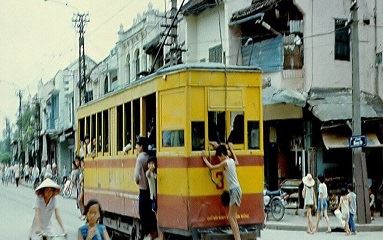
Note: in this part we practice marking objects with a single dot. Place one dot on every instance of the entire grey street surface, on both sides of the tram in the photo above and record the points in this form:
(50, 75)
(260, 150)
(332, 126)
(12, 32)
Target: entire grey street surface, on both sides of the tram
(16, 207)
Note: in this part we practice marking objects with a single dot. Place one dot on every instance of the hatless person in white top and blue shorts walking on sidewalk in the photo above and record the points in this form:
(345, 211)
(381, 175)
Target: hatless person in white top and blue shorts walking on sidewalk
(322, 203)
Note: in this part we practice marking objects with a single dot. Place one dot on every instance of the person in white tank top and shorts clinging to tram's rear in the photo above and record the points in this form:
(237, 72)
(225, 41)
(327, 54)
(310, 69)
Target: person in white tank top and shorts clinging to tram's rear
(230, 173)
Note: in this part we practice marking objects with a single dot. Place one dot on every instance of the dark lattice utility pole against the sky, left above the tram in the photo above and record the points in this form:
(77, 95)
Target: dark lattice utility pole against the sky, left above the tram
(79, 21)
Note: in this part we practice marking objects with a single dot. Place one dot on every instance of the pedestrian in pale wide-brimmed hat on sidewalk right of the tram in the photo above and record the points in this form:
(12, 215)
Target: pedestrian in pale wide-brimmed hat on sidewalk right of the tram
(309, 200)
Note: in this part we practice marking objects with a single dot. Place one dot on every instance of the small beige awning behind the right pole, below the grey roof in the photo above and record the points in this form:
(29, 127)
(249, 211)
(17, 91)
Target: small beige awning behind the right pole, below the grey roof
(333, 140)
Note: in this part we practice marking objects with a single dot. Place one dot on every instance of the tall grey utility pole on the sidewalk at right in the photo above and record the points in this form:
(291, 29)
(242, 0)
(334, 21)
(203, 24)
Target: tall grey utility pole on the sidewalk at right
(358, 157)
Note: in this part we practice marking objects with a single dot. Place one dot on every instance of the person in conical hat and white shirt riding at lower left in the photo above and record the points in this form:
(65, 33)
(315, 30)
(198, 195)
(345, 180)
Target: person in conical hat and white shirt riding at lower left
(44, 207)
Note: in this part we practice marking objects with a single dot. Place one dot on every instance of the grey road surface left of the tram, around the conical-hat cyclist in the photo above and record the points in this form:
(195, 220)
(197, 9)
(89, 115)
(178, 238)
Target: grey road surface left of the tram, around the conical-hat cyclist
(16, 213)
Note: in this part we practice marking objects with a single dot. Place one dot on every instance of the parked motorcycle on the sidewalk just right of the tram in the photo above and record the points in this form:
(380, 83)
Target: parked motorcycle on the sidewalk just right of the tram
(274, 203)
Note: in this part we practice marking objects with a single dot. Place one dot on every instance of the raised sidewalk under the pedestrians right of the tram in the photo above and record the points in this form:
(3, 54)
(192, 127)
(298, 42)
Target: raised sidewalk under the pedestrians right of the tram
(299, 223)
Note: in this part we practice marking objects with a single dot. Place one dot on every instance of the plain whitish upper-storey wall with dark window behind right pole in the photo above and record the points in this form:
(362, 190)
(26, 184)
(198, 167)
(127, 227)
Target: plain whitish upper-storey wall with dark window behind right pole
(321, 68)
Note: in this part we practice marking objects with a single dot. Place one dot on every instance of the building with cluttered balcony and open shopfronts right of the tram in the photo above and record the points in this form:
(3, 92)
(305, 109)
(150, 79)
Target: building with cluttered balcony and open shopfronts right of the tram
(303, 48)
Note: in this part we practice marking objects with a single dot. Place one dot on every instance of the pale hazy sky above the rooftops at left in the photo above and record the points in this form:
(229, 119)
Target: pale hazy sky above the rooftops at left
(37, 39)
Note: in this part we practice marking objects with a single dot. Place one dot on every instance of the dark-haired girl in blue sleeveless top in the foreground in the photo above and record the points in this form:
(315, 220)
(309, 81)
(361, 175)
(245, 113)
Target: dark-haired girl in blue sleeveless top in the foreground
(93, 229)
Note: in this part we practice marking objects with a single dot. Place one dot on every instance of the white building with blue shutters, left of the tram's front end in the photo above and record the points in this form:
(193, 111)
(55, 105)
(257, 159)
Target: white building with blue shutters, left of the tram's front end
(58, 100)
